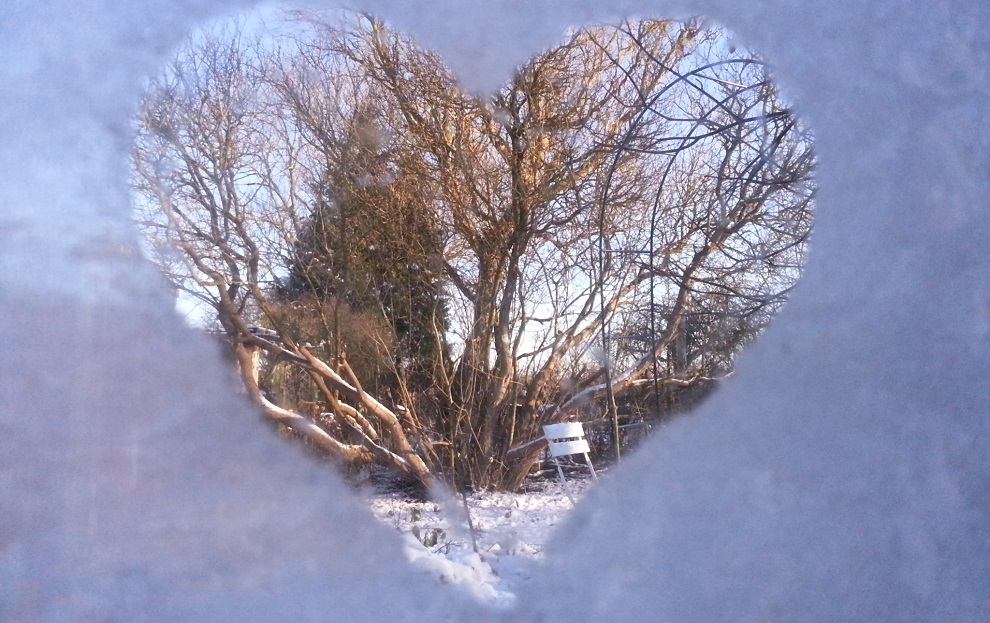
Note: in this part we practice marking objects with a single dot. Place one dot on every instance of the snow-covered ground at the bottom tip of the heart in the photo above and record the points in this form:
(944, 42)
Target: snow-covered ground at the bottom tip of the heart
(510, 530)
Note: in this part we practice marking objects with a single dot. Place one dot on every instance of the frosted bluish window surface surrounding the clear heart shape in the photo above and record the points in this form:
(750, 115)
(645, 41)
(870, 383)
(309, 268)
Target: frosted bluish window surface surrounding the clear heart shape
(855, 491)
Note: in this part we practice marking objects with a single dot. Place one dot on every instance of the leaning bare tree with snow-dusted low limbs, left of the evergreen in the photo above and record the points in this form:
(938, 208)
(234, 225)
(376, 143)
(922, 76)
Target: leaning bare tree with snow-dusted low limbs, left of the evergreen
(219, 178)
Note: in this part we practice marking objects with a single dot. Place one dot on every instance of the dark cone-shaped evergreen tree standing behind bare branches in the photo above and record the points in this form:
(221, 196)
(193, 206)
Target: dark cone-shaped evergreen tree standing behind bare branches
(371, 250)
